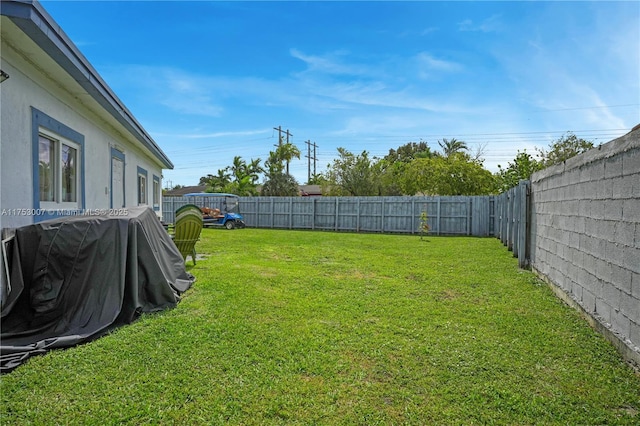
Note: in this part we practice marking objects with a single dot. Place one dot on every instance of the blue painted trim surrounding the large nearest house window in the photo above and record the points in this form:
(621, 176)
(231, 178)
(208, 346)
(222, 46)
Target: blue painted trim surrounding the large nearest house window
(41, 120)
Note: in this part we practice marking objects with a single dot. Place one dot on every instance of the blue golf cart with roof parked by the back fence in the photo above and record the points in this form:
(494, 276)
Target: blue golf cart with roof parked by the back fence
(218, 209)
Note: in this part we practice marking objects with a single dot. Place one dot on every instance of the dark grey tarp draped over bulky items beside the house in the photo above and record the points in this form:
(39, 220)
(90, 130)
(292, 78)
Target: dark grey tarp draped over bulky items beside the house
(73, 279)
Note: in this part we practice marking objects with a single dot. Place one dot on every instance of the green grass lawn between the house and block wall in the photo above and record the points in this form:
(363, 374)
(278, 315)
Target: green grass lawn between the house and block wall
(294, 327)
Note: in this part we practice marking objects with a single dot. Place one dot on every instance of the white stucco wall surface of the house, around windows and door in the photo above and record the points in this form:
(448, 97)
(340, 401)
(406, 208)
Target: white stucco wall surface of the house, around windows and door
(30, 89)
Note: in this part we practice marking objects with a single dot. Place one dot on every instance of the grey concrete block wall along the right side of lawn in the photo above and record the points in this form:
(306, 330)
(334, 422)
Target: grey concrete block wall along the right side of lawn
(585, 235)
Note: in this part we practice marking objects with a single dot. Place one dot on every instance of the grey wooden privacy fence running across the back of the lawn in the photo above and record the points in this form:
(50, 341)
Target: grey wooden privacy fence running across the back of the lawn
(454, 215)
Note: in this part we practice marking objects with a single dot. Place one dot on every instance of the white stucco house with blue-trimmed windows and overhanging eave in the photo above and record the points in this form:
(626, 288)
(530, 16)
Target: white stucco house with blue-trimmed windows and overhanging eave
(67, 143)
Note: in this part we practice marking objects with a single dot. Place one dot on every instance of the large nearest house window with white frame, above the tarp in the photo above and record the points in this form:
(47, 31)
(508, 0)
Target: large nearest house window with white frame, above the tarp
(58, 172)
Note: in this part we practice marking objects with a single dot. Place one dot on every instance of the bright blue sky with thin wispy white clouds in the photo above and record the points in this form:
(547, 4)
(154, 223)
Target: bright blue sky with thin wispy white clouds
(210, 80)
